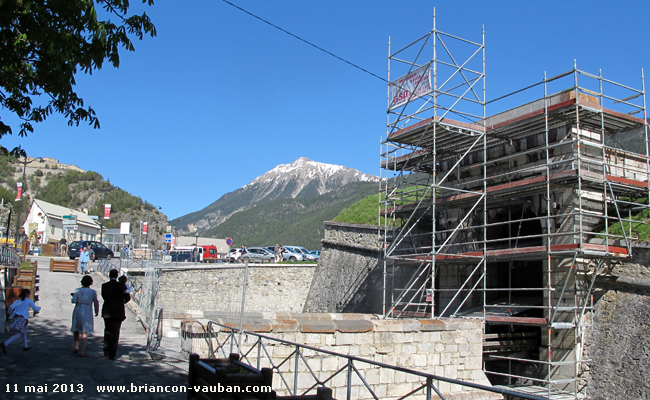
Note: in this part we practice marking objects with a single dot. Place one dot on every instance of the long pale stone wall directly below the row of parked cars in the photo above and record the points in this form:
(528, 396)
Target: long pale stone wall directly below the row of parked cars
(198, 289)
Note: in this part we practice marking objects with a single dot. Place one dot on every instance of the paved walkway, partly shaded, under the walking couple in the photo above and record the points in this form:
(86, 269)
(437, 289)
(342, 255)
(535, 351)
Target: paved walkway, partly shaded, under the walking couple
(50, 364)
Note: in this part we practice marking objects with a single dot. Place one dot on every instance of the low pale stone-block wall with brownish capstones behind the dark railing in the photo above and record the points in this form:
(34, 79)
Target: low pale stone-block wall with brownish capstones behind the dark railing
(445, 347)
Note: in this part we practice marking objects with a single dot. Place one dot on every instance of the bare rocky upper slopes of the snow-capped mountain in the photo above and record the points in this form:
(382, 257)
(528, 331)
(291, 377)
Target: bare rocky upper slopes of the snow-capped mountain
(302, 179)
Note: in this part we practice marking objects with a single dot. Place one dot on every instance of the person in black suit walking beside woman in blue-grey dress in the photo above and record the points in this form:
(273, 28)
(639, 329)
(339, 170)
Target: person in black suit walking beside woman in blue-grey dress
(115, 296)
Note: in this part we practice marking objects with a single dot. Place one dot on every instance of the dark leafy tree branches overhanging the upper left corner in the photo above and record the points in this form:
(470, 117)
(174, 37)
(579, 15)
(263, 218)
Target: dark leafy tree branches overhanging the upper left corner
(43, 46)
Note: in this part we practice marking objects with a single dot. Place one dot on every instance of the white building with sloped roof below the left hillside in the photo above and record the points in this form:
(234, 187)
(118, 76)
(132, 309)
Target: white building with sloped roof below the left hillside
(47, 220)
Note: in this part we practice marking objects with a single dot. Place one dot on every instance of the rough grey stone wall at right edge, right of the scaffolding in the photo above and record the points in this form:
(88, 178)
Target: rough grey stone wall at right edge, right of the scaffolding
(618, 346)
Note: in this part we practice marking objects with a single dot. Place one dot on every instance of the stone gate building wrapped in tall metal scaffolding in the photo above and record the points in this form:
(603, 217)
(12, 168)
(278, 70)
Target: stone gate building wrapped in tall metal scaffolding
(510, 217)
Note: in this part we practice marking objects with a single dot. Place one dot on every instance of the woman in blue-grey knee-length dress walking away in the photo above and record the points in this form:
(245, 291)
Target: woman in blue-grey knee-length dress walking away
(83, 323)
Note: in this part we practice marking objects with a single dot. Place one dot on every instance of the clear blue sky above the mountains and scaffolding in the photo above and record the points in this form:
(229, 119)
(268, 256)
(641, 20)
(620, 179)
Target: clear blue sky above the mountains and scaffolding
(219, 98)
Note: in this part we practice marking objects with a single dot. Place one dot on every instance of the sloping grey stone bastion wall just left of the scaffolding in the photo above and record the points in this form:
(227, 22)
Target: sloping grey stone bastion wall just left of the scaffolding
(349, 277)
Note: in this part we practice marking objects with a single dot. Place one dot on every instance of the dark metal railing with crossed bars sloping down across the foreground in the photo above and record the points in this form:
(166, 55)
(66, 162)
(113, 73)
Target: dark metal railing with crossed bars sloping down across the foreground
(298, 371)
